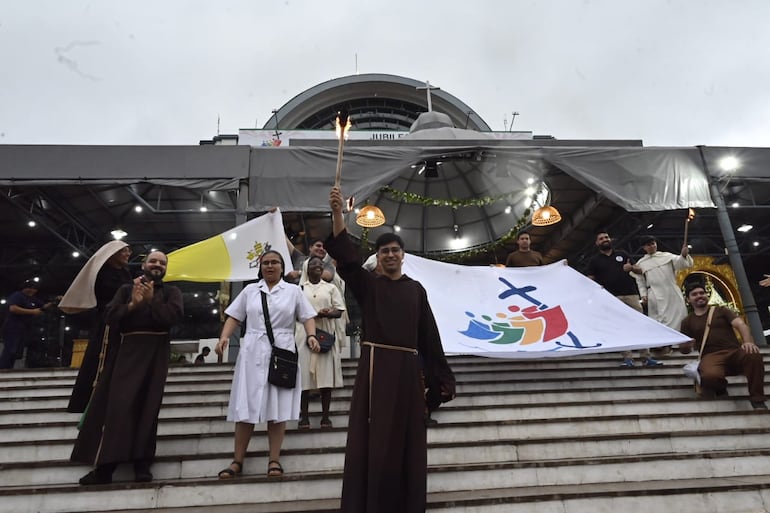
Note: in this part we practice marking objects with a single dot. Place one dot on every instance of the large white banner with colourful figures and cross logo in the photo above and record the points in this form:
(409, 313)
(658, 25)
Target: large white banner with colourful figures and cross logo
(531, 312)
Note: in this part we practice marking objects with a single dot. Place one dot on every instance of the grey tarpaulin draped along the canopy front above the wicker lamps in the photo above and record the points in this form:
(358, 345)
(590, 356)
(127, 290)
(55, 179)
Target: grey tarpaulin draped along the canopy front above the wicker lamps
(637, 179)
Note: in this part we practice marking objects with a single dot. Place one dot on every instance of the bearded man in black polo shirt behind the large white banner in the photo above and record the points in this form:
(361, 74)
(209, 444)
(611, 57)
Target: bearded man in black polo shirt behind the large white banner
(610, 269)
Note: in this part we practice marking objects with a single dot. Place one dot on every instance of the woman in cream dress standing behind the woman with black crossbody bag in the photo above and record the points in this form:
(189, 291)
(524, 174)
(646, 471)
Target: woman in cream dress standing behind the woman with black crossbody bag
(321, 371)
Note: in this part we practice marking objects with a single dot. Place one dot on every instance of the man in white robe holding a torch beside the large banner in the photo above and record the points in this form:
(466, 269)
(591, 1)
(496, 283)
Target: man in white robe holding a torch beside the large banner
(655, 275)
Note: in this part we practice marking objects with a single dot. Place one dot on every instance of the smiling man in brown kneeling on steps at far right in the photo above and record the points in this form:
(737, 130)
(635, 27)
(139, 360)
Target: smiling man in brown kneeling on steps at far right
(723, 355)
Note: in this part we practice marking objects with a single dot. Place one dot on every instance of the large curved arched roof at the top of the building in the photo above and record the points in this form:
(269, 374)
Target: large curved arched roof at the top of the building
(374, 102)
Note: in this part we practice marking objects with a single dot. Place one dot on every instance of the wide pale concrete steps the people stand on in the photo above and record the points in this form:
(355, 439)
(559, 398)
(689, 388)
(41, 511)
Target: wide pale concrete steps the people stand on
(556, 435)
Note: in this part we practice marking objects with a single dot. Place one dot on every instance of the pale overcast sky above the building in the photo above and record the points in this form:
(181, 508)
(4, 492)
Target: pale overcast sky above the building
(671, 73)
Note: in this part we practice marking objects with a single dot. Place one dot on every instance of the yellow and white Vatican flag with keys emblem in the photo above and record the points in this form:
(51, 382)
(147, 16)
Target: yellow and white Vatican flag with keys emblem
(232, 255)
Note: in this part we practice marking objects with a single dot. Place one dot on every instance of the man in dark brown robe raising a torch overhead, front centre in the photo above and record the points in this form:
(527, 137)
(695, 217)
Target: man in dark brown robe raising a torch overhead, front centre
(386, 453)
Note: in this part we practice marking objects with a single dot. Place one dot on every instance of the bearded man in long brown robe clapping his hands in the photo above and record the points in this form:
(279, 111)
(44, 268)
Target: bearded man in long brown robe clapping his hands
(121, 422)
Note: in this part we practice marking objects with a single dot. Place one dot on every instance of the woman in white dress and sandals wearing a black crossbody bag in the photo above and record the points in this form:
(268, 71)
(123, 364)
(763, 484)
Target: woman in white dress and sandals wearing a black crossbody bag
(252, 399)
